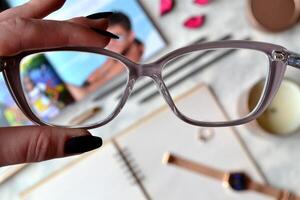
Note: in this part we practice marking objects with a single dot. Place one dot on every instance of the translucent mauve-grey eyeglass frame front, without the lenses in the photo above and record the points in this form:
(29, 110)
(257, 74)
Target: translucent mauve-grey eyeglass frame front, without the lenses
(153, 70)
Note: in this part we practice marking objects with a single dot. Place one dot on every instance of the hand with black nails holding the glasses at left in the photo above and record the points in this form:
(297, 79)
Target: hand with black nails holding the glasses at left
(22, 28)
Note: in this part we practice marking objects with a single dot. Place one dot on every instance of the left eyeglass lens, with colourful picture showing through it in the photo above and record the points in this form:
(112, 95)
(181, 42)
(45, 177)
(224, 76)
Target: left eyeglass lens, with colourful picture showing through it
(60, 99)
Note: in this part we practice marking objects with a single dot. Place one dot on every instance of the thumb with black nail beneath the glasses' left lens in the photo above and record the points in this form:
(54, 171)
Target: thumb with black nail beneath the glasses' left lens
(36, 143)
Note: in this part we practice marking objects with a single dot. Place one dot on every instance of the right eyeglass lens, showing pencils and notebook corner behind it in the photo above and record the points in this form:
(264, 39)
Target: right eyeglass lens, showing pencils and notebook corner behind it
(234, 71)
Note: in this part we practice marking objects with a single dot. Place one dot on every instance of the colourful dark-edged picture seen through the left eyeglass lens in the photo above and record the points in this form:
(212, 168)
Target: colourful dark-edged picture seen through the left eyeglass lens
(45, 91)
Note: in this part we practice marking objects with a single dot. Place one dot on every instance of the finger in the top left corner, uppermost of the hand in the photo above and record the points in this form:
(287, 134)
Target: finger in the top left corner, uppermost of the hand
(33, 9)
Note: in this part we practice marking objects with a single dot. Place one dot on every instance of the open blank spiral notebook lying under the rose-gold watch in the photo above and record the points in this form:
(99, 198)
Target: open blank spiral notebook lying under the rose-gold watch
(130, 165)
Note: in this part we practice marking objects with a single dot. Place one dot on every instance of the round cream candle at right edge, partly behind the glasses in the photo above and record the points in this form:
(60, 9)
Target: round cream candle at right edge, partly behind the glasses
(282, 117)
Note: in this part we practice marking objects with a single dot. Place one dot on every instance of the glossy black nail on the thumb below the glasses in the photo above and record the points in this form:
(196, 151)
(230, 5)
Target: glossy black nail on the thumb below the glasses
(82, 144)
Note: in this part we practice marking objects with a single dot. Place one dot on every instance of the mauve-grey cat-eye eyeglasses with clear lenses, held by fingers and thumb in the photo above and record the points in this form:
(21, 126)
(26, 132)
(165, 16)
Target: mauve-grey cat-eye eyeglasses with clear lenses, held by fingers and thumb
(45, 98)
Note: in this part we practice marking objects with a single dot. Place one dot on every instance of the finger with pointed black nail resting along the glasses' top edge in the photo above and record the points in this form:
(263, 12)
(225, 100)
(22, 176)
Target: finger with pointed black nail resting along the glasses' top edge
(26, 34)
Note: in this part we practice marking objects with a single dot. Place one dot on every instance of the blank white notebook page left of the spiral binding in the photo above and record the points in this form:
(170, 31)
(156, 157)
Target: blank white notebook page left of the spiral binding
(98, 175)
